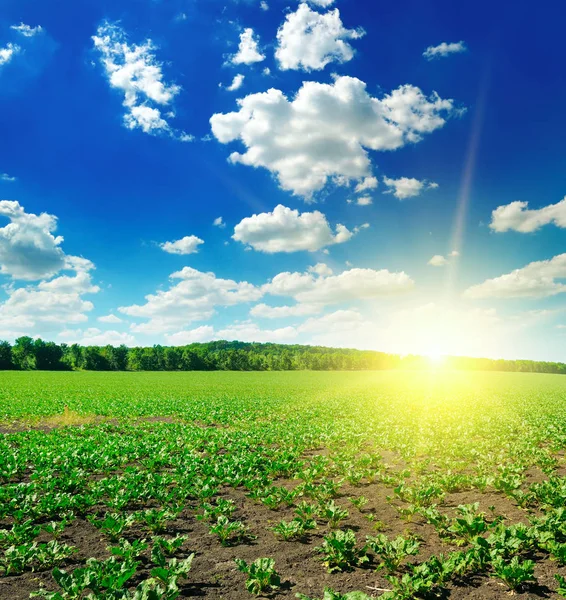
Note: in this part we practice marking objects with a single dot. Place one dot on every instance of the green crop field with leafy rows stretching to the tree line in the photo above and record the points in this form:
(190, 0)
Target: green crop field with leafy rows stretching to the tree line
(392, 485)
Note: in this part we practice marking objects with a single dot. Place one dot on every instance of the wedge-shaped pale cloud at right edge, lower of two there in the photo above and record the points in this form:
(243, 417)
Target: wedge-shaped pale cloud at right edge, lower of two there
(536, 280)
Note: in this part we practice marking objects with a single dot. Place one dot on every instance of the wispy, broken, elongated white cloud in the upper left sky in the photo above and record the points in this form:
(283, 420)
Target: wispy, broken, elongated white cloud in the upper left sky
(135, 71)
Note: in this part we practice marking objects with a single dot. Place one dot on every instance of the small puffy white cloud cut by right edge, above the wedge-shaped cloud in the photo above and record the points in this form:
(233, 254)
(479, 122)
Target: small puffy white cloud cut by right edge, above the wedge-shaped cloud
(516, 216)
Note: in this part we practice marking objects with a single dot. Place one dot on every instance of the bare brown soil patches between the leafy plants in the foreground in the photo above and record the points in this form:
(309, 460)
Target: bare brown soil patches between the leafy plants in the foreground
(214, 574)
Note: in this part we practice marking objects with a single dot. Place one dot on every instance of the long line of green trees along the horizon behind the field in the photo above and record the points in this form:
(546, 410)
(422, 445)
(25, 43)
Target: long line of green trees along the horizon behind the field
(28, 354)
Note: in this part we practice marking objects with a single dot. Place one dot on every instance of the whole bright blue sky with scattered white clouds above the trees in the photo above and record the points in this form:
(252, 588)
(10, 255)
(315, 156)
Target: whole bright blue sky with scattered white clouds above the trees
(371, 164)
